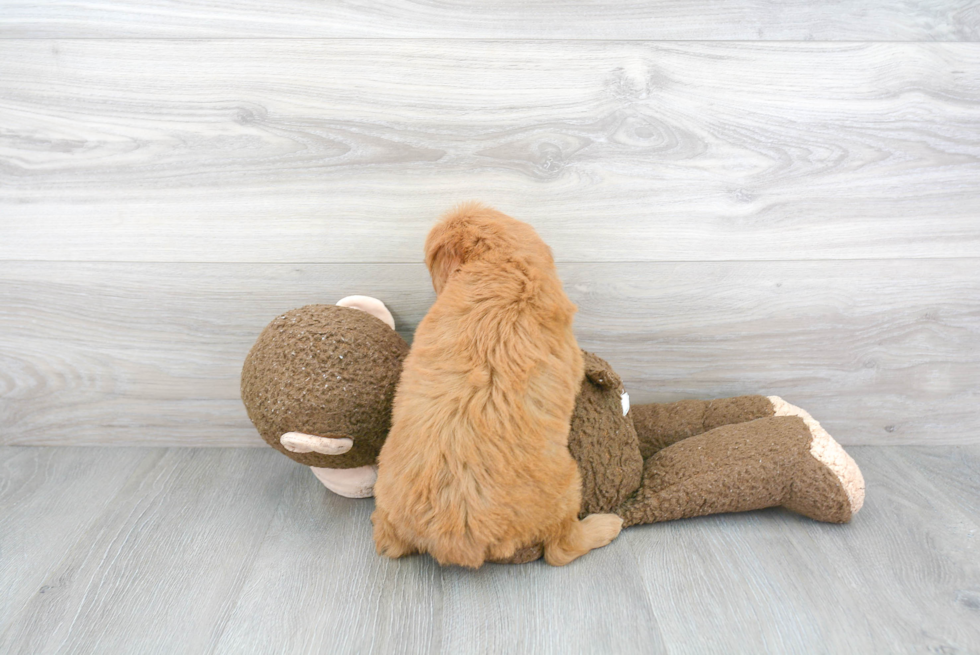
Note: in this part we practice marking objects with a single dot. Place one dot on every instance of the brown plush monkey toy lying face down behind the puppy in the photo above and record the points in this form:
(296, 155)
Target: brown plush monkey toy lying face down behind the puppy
(319, 384)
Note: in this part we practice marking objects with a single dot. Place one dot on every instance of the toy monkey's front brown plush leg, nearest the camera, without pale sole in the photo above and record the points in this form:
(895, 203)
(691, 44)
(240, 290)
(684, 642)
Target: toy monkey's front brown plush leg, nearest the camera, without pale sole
(735, 468)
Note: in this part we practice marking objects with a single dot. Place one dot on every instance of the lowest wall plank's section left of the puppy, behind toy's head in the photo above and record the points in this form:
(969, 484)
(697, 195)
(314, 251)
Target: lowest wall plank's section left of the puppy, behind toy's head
(136, 353)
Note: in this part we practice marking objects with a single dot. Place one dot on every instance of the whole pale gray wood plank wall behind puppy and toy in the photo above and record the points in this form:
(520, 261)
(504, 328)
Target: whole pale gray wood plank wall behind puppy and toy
(778, 198)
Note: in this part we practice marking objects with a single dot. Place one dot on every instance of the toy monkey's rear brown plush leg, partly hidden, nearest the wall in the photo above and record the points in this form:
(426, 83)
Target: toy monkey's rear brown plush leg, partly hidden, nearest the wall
(660, 425)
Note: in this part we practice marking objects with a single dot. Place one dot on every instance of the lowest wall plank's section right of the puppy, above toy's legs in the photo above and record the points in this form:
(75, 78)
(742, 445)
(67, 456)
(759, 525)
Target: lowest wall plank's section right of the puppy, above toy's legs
(879, 352)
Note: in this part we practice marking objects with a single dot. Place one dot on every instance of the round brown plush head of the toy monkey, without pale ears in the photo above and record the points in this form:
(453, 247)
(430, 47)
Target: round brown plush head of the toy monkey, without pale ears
(328, 371)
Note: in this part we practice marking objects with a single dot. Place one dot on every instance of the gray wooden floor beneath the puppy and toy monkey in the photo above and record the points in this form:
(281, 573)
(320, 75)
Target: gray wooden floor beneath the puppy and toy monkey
(182, 550)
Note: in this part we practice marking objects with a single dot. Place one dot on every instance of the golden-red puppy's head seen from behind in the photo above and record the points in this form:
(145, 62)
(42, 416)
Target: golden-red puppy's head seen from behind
(473, 231)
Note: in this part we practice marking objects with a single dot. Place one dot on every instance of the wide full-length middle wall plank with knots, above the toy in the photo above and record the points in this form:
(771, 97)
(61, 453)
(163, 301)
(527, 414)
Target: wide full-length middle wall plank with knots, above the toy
(346, 151)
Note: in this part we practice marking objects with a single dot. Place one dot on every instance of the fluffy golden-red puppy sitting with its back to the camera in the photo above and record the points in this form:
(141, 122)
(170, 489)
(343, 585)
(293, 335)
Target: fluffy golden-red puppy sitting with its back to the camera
(477, 464)
